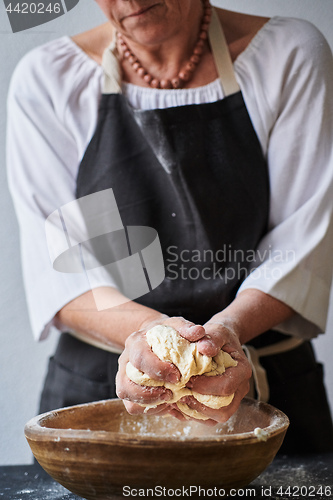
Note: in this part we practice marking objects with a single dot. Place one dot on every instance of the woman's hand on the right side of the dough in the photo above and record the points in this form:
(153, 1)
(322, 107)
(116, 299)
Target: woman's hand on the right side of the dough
(235, 380)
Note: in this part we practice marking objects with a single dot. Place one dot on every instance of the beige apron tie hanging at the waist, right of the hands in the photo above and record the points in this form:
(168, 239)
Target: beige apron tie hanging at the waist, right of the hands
(259, 377)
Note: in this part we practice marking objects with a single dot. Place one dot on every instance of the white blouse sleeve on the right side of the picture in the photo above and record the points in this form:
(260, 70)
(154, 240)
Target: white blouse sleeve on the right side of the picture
(294, 259)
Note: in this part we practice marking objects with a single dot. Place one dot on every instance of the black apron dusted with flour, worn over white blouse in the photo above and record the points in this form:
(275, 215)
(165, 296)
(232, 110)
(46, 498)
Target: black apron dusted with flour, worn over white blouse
(197, 175)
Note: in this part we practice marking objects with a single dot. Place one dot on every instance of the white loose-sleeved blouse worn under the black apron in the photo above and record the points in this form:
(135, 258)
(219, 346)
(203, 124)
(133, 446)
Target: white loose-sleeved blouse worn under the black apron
(286, 76)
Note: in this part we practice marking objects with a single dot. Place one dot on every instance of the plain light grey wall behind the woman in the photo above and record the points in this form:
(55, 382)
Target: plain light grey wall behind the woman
(22, 361)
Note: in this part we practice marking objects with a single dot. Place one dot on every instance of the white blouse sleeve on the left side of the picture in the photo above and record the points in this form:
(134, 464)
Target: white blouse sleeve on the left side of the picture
(44, 147)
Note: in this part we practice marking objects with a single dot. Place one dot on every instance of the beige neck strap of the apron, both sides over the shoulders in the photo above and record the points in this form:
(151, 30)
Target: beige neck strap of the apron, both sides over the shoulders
(223, 62)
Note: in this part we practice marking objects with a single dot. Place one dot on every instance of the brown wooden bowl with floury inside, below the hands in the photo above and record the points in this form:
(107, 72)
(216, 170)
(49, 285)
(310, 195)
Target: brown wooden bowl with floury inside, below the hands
(99, 451)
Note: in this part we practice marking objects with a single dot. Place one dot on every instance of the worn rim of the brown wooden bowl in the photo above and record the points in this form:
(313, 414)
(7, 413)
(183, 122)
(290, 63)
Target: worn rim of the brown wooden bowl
(35, 431)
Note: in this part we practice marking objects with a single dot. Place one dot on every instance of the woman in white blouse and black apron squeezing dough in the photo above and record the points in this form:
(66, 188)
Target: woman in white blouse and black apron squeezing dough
(185, 155)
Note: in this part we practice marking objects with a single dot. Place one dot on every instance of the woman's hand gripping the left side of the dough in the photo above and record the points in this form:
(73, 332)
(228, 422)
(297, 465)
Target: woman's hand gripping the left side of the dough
(139, 353)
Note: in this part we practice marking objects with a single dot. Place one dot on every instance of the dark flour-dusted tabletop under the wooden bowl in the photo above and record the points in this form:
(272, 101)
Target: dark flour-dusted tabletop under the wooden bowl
(287, 478)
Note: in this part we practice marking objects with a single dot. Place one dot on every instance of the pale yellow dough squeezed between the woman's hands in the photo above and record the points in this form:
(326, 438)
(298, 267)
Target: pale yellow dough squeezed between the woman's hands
(168, 345)
